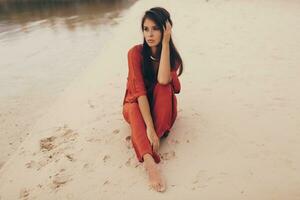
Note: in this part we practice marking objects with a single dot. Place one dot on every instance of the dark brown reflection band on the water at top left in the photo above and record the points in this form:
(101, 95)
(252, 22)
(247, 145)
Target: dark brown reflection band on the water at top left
(18, 16)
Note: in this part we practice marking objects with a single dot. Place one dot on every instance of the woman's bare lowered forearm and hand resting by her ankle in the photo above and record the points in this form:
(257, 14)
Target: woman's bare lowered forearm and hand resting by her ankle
(145, 111)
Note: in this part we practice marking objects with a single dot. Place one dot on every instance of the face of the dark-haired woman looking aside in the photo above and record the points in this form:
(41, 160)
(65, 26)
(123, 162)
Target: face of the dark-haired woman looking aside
(152, 33)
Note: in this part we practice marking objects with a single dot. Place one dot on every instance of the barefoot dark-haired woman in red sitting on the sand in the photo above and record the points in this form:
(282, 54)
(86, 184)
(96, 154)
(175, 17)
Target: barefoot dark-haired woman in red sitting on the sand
(150, 104)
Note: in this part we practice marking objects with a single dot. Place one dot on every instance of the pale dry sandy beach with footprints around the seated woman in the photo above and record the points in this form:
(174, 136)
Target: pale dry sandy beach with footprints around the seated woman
(237, 131)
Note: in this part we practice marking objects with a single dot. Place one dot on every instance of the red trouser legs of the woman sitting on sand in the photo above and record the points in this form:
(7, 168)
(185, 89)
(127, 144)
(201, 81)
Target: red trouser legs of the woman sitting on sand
(163, 111)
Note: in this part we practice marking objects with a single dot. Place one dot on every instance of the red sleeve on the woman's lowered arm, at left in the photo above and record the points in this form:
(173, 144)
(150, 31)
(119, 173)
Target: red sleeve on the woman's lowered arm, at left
(135, 73)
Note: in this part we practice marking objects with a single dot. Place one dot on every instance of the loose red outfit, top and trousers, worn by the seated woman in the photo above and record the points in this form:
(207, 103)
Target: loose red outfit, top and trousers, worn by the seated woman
(163, 104)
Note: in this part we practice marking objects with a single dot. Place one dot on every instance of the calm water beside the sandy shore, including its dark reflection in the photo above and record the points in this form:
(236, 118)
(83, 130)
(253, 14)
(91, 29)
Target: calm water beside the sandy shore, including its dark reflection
(44, 46)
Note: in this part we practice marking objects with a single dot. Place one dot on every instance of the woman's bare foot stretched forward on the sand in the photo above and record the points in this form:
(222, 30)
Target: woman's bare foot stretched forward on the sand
(156, 180)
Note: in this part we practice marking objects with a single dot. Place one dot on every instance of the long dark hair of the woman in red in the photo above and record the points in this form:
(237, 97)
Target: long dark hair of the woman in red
(160, 16)
